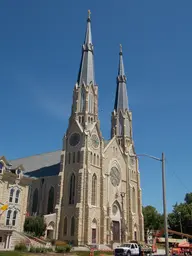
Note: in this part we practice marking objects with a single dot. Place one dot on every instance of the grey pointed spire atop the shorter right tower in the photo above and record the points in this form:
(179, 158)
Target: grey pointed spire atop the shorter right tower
(121, 98)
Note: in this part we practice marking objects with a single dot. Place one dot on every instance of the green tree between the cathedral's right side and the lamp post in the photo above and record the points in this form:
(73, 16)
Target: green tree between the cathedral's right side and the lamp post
(153, 220)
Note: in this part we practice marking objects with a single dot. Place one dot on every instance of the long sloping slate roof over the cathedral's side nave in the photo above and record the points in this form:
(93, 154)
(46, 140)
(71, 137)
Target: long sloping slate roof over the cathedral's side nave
(46, 164)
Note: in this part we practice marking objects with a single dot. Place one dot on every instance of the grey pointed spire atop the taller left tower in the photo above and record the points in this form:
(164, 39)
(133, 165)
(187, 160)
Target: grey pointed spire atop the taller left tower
(86, 71)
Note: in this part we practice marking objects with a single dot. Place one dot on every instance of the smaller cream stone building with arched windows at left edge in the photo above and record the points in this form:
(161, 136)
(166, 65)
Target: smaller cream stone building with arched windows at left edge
(13, 203)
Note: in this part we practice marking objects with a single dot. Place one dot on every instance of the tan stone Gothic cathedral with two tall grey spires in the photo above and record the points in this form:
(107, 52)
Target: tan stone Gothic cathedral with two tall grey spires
(89, 191)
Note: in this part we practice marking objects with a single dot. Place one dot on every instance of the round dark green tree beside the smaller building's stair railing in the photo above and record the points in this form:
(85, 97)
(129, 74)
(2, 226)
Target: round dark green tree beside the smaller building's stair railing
(35, 225)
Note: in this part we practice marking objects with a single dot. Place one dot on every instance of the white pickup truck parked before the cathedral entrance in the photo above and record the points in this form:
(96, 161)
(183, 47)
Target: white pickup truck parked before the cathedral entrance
(128, 249)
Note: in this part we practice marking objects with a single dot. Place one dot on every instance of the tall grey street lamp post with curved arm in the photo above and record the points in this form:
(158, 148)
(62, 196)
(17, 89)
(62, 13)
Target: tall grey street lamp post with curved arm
(162, 160)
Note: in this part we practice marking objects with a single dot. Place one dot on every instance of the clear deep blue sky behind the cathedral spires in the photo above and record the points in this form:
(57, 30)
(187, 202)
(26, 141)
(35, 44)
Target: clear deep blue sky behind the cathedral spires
(40, 50)
